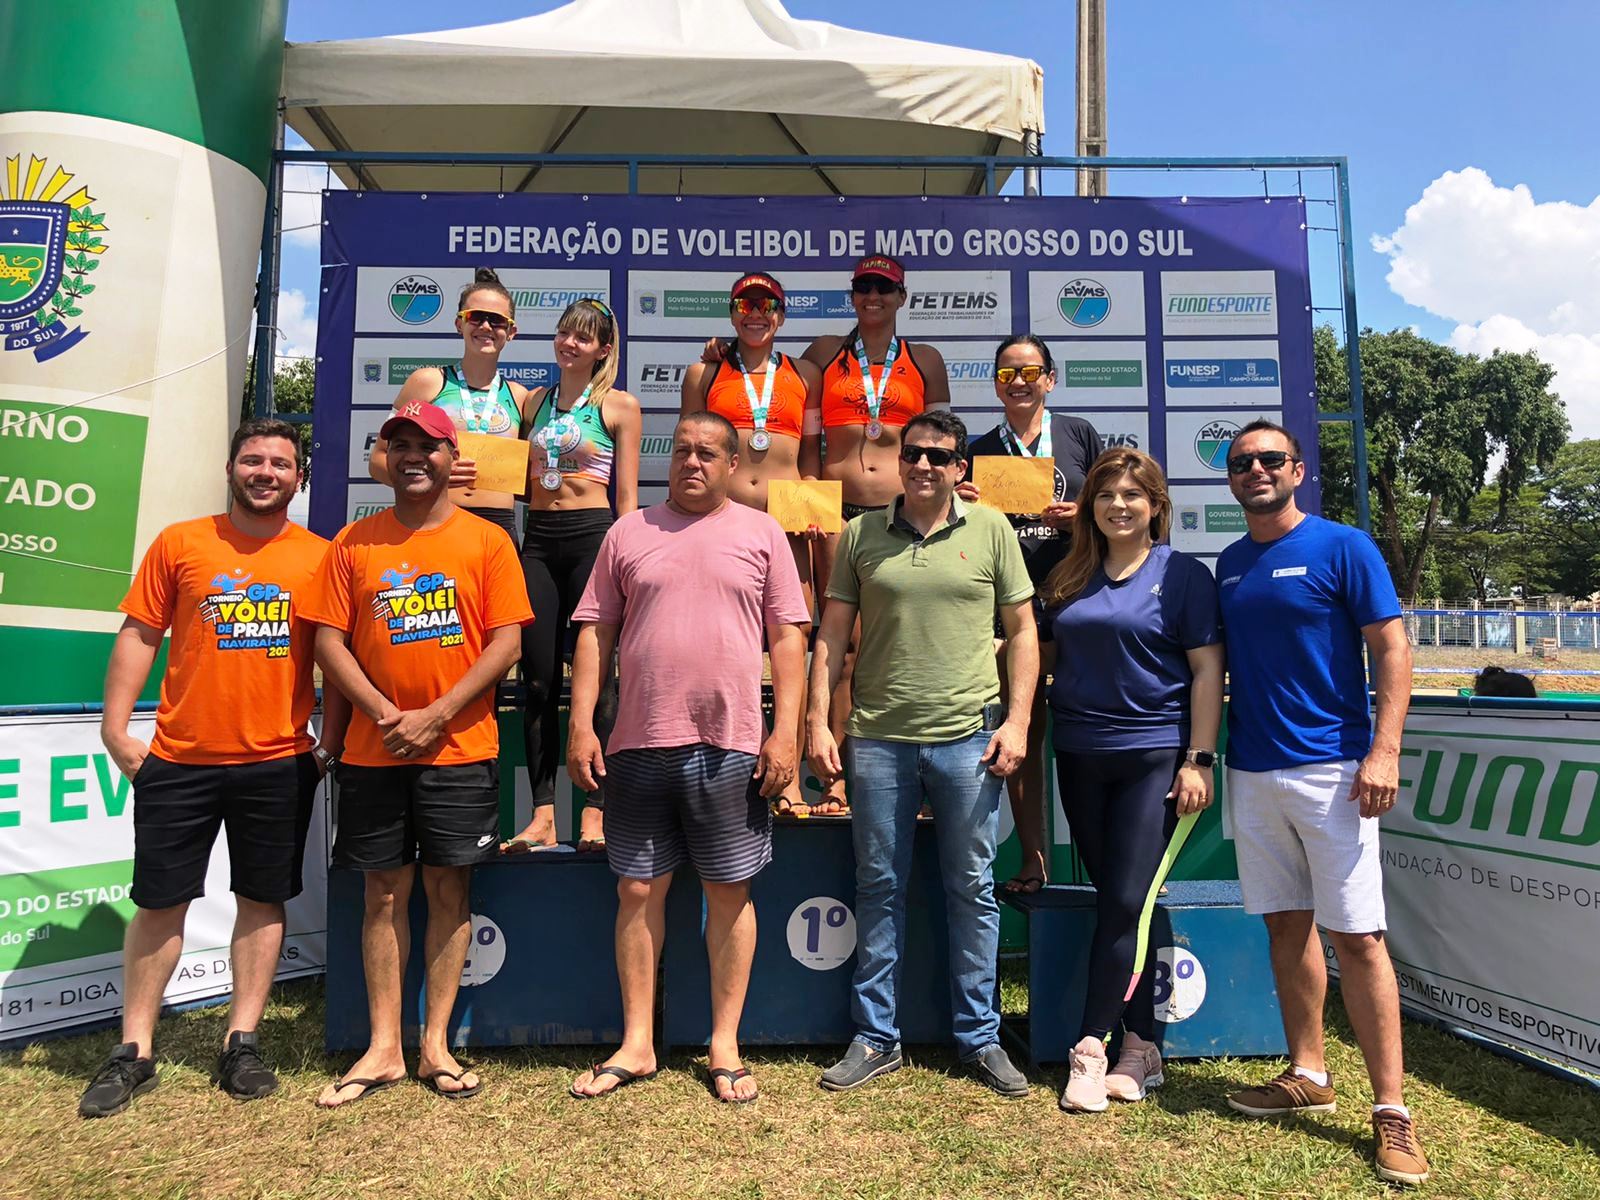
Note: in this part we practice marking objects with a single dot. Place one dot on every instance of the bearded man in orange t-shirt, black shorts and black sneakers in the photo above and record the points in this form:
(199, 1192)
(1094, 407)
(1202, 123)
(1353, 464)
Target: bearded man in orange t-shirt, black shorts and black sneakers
(231, 748)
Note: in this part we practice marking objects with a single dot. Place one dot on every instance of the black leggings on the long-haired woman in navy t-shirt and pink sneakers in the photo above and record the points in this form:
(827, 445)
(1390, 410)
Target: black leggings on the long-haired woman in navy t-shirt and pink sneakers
(1121, 822)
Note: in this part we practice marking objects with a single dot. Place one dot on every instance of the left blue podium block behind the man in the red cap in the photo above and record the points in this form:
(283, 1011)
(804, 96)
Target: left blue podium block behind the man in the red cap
(540, 972)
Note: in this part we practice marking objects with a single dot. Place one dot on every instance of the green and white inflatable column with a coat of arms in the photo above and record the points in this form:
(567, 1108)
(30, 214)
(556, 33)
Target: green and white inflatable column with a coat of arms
(135, 148)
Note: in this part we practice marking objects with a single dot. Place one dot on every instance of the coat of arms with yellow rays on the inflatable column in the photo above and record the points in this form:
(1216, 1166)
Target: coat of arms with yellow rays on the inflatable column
(50, 242)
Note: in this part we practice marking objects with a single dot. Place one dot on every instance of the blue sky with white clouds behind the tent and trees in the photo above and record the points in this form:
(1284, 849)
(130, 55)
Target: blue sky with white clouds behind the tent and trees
(1444, 108)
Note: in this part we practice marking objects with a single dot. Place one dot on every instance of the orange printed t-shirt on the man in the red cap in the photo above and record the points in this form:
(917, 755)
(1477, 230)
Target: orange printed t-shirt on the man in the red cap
(418, 607)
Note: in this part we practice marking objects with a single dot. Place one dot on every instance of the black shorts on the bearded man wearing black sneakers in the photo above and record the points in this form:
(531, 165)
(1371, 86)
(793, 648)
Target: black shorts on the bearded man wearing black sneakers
(178, 810)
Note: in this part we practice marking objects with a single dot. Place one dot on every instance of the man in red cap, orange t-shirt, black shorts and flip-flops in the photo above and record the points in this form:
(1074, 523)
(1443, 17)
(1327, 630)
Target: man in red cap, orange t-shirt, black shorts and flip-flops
(420, 614)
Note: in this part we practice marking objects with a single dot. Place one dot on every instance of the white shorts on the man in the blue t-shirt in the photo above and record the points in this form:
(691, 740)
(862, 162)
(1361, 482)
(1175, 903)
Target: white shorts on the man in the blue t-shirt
(1305, 846)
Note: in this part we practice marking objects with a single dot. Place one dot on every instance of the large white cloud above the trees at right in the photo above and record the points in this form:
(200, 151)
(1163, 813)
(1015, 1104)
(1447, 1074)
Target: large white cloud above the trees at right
(1513, 273)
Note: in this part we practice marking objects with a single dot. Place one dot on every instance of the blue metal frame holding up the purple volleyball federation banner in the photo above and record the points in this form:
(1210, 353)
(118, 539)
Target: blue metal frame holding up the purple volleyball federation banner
(991, 166)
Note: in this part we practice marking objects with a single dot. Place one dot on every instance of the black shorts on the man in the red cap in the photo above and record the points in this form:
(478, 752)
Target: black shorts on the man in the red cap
(391, 817)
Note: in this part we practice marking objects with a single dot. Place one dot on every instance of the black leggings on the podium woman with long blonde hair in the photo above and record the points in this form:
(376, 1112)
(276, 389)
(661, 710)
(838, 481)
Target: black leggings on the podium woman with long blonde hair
(558, 554)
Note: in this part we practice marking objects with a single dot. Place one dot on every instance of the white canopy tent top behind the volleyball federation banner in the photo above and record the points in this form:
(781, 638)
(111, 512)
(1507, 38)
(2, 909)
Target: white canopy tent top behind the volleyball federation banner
(666, 78)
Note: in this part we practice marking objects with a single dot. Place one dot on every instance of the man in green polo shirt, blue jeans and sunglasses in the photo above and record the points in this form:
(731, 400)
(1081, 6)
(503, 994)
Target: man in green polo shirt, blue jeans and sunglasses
(927, 577)
